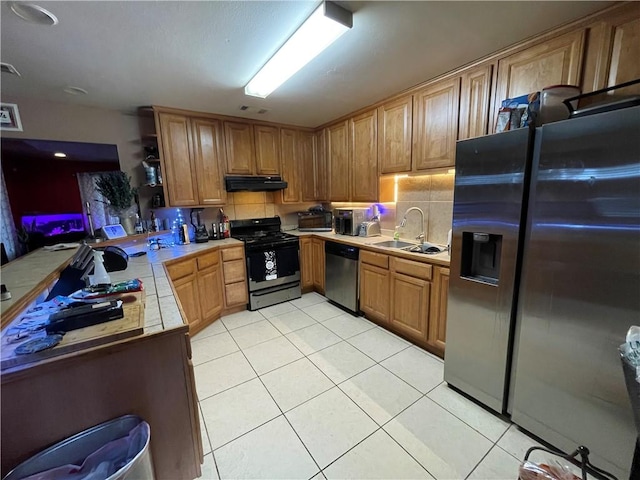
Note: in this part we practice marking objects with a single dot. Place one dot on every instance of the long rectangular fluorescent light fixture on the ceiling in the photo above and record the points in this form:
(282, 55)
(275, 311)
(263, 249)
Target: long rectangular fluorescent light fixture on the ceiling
(325, 25)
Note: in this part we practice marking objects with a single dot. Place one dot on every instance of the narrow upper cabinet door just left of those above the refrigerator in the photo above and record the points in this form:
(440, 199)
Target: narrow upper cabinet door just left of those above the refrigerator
(474, 102)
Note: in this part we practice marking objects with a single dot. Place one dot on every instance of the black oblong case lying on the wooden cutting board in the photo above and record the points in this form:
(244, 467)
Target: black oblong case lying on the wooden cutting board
(84, 316)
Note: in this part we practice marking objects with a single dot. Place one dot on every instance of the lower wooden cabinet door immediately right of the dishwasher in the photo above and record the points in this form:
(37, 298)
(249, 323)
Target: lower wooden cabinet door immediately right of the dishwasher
(374, 293)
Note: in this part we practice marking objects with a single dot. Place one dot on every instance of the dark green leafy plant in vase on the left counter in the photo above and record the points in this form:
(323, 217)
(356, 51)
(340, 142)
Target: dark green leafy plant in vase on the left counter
(115, 188)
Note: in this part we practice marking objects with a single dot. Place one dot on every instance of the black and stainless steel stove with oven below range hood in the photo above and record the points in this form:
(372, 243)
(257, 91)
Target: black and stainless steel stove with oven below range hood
(273, 265)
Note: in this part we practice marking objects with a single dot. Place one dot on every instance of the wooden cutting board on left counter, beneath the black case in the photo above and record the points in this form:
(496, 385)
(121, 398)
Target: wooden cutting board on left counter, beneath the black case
(130, 325)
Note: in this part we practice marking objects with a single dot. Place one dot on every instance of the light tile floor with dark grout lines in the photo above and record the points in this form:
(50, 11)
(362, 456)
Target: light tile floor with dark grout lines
(302, 390)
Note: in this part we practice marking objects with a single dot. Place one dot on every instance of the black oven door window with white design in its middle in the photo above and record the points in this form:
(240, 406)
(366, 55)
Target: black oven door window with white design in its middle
(270, 264)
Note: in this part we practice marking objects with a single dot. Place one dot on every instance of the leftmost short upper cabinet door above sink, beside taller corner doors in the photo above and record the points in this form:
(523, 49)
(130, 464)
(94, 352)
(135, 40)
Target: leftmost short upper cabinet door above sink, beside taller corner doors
(394, 135)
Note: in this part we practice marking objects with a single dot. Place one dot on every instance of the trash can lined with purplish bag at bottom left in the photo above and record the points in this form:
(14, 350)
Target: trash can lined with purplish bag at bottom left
(114, 450)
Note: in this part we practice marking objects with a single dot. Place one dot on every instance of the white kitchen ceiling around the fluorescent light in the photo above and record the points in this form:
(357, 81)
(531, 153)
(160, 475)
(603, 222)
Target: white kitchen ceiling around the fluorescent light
(199, 55)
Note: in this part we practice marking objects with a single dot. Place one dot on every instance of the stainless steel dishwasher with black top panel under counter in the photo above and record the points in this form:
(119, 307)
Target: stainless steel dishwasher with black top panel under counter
(341, 275)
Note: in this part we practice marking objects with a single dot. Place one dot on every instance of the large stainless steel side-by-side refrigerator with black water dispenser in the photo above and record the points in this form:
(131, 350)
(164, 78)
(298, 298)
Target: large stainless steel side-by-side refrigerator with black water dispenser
(545, 279)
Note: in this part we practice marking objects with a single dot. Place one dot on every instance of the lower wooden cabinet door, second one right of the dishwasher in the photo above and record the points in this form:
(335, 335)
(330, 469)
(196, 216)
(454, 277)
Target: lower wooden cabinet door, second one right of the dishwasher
(410, 306)
